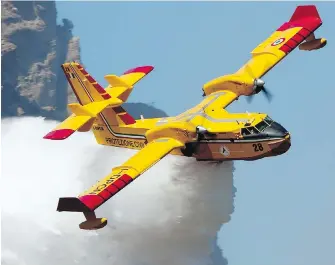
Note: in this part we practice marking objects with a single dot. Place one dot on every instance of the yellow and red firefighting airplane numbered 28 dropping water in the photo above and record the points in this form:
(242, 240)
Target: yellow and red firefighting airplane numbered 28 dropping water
(205, 132)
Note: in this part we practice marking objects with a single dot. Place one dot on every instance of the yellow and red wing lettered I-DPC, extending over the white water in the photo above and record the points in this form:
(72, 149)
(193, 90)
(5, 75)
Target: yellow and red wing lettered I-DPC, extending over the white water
(120, 177)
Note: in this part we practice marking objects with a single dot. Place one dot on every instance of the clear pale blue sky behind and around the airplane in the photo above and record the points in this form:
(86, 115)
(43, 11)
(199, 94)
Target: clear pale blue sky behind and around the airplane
(284, 206)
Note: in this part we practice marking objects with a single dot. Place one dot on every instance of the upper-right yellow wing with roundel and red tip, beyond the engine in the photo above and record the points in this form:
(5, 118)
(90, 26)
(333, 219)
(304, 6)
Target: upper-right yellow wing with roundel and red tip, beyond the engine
(304, 21)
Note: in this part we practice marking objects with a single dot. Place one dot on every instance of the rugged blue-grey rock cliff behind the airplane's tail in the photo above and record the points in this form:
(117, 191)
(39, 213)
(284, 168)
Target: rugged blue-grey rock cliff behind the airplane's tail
(32, 49)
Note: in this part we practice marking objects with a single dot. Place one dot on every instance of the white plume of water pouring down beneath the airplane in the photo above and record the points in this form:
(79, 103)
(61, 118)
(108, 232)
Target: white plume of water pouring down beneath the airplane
(169, 215)
